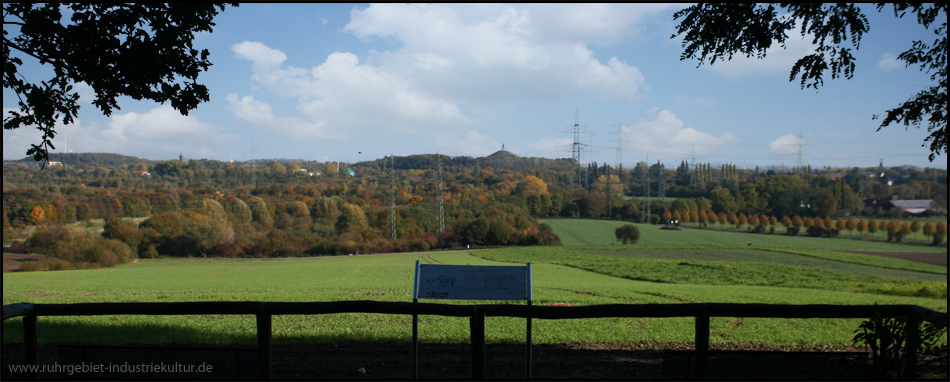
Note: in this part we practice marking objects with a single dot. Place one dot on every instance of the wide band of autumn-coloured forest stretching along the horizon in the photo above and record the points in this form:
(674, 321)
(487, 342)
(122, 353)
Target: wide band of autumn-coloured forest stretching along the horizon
(285, 208)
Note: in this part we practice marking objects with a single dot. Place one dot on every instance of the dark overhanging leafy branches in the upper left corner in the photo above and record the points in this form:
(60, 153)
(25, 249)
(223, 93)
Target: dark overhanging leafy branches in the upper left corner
(140, 50)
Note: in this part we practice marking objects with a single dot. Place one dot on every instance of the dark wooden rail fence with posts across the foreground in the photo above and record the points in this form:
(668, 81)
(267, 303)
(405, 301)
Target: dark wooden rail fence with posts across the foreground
(264, 311)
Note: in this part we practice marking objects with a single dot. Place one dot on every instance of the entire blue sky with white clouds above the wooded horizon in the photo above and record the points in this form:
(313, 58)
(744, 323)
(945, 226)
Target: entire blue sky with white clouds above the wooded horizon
(356, 82)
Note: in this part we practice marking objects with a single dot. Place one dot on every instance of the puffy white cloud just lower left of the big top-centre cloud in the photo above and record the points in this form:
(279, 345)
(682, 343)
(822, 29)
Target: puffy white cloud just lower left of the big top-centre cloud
(342, 94)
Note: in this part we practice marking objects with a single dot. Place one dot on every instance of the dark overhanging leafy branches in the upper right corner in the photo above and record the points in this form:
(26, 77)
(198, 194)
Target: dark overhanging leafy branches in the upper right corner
(718, 31)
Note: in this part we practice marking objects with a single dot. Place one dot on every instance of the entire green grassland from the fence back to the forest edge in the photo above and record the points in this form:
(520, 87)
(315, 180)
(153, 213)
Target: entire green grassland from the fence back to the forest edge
(682, 266)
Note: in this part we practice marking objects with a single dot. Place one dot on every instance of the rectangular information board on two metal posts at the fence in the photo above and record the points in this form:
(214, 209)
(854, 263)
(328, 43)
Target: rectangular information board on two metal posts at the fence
(471, 282)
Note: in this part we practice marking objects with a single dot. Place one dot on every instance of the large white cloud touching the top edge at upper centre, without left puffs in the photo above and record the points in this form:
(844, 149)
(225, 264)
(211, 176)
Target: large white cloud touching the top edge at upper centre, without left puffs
(494, 53)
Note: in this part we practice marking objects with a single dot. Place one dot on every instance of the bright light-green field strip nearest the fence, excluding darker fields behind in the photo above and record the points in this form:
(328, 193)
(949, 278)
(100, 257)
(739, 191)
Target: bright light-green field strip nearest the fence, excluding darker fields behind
(389, 278)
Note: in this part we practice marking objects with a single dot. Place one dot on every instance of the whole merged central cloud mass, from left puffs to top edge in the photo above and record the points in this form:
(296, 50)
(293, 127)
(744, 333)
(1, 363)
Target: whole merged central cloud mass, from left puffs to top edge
(448, 64)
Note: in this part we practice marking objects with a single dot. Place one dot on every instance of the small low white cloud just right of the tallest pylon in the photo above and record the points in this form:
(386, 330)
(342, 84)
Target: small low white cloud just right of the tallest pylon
(666, 134)
